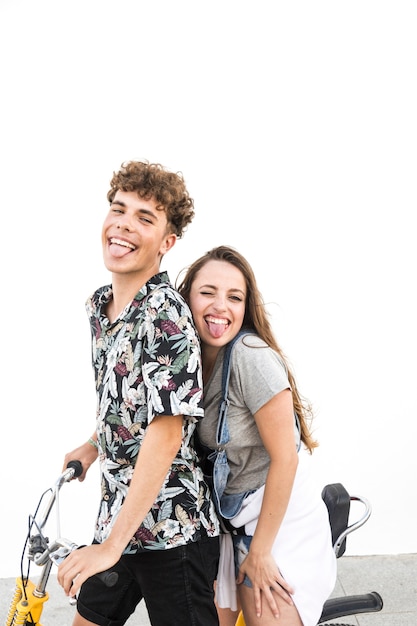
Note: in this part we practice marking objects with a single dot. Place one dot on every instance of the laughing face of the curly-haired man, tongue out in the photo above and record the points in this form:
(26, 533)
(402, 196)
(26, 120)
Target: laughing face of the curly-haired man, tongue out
(134, 235)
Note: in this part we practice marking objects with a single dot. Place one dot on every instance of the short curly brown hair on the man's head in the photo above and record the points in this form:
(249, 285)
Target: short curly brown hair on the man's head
(152, 180)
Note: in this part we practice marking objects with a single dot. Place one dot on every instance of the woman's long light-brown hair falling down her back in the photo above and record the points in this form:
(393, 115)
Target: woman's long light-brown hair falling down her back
(255, 318)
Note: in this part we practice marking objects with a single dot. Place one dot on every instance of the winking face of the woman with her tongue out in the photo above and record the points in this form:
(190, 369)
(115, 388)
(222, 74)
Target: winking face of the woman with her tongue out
(217, 302)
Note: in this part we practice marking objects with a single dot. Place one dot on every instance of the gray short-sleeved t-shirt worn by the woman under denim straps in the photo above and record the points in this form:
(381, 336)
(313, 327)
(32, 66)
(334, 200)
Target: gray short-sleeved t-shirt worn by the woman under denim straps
(257, 374)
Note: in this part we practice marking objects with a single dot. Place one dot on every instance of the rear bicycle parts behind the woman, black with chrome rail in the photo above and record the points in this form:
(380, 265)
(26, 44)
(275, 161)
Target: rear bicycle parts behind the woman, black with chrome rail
(338, 500)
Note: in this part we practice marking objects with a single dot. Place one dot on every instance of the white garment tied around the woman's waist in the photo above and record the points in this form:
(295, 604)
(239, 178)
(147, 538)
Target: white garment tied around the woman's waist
(302, 549)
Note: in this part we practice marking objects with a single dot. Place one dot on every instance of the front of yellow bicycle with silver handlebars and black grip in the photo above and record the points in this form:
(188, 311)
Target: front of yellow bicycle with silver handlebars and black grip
(28, 600)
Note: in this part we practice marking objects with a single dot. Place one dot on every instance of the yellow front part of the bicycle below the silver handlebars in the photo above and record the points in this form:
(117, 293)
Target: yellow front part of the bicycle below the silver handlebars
(25, 603)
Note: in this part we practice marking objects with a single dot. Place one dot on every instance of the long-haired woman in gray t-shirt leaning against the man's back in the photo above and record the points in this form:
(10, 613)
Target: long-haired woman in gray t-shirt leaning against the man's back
(284, 559)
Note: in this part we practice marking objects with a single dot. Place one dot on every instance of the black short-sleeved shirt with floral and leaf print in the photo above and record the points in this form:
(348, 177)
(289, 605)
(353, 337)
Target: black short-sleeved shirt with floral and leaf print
(147, 363)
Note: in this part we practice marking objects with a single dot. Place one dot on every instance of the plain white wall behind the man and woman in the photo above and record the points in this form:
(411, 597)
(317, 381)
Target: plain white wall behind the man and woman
(294, 124)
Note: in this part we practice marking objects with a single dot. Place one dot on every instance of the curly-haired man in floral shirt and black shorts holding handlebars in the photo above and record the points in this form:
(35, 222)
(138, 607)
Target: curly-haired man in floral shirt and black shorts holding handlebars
(156, 525)
